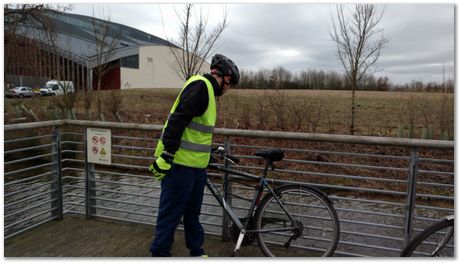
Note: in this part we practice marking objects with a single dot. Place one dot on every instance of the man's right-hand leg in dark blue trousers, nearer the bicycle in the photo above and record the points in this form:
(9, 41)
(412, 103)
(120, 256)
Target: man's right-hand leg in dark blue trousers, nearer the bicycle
(194, 232)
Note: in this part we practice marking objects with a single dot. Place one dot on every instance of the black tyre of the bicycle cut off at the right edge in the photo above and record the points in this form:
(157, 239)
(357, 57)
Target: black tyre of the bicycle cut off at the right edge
(425, 235)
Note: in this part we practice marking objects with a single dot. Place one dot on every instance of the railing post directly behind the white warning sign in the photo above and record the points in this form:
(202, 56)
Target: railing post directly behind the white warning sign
(90, 182)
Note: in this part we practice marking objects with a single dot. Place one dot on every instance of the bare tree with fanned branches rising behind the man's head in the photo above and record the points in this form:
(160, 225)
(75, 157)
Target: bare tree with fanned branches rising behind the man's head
(195, 42)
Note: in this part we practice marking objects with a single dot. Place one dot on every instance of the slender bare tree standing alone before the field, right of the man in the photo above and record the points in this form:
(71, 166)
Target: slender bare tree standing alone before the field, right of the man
(359, 43)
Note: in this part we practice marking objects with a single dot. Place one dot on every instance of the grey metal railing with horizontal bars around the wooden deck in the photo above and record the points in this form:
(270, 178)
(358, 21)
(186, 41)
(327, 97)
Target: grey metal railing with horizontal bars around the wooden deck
(385, 190)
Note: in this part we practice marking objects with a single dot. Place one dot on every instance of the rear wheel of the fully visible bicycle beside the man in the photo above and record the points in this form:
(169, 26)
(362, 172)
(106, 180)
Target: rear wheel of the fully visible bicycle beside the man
(310, 230)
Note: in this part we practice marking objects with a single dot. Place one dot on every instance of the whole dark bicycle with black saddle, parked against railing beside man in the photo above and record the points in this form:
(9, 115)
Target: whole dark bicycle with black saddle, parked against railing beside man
(290, 220)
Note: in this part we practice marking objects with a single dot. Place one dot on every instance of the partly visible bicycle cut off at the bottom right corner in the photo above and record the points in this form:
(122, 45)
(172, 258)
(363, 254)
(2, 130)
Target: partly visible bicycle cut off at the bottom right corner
(435, 241)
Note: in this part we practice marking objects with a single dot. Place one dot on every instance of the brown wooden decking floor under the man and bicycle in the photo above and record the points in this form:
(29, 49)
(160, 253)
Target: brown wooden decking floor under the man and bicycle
(78, 237)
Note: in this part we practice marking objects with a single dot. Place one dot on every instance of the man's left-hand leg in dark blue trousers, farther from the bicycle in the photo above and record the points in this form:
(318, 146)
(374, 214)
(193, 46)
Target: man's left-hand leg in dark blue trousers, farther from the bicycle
(175, 192)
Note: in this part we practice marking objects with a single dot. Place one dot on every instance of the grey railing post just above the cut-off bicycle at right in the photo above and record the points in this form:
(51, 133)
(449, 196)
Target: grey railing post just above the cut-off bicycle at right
(411, 196)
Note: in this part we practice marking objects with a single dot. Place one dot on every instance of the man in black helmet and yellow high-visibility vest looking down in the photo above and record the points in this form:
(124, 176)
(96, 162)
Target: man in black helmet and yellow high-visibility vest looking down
(183, 153)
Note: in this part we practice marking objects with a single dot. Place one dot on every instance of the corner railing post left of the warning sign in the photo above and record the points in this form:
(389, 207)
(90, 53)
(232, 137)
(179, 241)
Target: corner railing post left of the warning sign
(57, 168)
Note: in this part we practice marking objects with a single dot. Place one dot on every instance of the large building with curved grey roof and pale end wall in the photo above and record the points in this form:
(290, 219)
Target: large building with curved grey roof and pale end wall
(81, 48)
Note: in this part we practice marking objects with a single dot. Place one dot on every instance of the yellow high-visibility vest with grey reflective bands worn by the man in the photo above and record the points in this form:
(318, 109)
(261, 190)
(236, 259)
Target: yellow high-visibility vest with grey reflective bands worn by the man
(195, 146)
